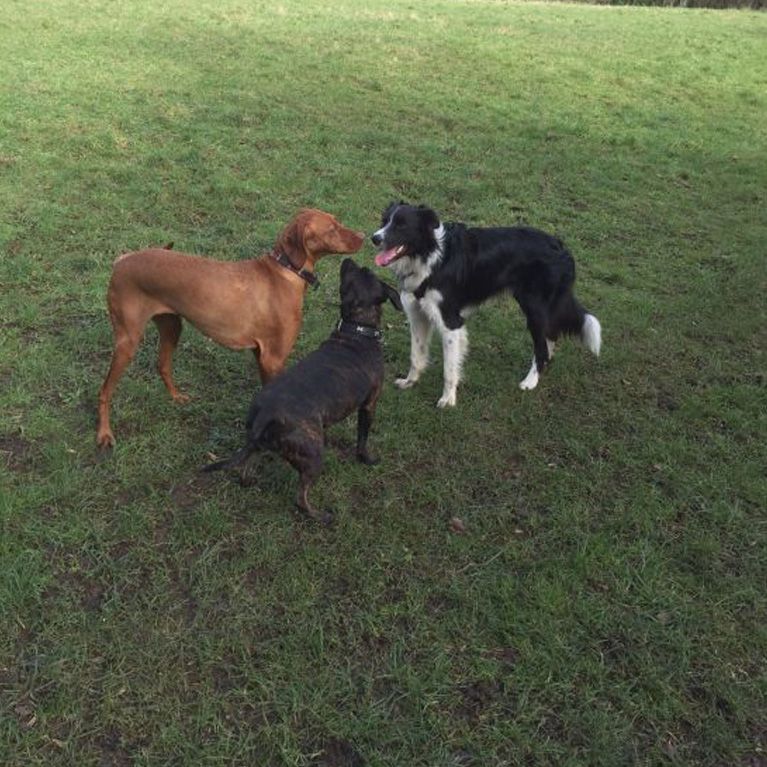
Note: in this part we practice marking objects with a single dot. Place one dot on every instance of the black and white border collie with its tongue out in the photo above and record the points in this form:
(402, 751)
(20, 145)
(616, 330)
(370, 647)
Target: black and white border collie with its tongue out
(446, 270)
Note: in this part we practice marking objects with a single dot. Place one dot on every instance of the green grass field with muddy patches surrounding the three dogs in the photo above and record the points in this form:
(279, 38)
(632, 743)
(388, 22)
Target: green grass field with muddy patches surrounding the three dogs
(606, 604)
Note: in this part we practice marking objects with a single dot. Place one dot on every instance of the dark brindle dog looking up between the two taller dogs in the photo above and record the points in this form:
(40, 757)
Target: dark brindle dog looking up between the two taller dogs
(290, 414)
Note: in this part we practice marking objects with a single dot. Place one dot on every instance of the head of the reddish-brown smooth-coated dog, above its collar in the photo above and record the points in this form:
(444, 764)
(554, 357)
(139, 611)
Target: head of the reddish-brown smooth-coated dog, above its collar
(313, 234)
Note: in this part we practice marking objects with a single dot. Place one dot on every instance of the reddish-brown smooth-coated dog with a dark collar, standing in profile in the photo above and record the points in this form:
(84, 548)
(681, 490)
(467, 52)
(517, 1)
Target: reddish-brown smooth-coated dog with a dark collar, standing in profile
(254, 304)
